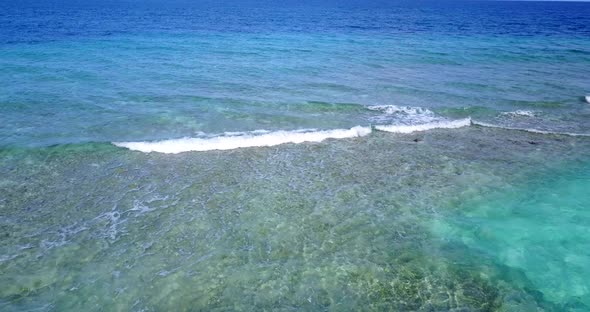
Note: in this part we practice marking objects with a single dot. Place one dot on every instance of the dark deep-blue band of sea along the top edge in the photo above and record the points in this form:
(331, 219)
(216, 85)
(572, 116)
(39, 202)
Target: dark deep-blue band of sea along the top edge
(40, 21)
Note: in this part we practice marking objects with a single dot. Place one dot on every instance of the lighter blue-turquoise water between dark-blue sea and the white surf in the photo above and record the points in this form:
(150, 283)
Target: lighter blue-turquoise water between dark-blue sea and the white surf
(162, 86)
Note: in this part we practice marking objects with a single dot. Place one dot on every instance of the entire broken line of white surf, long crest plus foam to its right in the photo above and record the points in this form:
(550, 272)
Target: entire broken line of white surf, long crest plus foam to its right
(394, 119)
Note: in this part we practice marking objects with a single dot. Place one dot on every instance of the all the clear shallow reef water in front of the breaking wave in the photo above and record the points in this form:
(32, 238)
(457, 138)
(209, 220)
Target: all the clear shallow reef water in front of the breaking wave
(368, 223)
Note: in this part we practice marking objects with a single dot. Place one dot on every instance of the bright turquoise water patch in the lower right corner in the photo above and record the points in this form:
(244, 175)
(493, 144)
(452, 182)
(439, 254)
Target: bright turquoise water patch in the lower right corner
(537, 226)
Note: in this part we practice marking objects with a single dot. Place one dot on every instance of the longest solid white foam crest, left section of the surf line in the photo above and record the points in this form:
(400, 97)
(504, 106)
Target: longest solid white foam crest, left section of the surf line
(241, 140)
